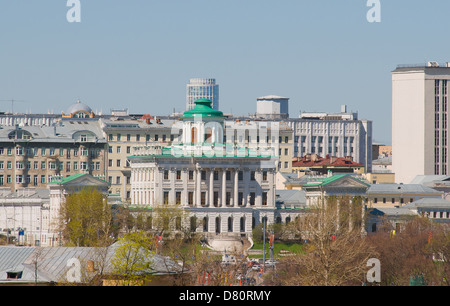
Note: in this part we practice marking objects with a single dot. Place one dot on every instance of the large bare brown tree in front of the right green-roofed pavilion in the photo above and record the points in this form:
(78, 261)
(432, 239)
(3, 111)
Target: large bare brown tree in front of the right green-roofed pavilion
(336, 253)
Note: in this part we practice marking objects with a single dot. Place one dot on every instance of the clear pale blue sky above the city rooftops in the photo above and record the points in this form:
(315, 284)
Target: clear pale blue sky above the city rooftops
(141, 53)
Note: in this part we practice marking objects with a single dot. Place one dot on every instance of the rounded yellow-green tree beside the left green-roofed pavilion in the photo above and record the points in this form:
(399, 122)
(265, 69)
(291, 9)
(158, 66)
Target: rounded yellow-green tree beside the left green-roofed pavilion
(85, 219)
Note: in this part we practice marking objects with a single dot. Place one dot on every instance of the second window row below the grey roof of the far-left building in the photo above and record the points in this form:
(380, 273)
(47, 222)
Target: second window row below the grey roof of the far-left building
(52, 165)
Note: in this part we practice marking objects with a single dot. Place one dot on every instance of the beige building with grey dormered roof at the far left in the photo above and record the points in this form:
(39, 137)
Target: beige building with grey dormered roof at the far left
(30, 156)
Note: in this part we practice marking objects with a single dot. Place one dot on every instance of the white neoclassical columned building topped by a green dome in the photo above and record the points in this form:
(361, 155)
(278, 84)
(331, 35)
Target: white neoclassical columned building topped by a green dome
(228, 187)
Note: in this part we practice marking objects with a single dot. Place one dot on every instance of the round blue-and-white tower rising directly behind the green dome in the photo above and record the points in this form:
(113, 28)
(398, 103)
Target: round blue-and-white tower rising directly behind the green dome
(199, 88)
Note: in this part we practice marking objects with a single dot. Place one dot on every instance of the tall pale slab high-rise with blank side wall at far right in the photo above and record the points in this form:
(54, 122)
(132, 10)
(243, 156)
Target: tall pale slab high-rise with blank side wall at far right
(419, 121)
